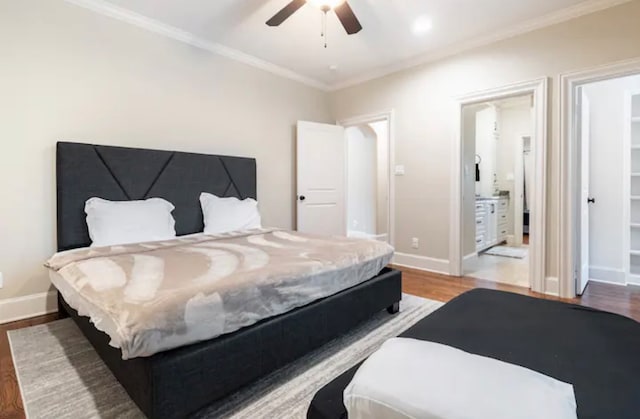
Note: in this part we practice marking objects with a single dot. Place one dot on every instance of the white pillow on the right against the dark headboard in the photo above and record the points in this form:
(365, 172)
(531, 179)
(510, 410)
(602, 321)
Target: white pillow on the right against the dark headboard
(222, 215)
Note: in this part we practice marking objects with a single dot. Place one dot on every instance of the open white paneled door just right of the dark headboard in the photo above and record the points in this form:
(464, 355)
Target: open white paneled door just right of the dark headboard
(321, 150)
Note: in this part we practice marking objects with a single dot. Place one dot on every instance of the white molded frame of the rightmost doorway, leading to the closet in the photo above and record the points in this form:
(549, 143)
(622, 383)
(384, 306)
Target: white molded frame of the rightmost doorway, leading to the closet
(567, 164)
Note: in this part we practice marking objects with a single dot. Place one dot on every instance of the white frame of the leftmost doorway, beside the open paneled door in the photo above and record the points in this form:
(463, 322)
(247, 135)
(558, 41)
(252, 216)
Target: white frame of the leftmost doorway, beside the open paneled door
(389, 116)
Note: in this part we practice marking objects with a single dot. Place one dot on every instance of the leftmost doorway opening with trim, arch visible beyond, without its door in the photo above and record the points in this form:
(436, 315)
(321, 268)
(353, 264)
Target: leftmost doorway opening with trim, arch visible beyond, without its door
(369, 187)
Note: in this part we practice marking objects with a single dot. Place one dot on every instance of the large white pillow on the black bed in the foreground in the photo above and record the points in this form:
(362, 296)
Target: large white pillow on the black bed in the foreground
(408, 378)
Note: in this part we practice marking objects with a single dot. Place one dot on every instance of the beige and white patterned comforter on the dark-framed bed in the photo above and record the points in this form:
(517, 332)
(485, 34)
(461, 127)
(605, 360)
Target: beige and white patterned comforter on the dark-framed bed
(152, 297)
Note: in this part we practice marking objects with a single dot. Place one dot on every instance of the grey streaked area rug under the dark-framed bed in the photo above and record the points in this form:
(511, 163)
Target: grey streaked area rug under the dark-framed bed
(61, 376)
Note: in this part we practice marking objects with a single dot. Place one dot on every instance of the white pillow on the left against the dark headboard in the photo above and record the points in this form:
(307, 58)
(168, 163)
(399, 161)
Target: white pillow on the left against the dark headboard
(122, 222)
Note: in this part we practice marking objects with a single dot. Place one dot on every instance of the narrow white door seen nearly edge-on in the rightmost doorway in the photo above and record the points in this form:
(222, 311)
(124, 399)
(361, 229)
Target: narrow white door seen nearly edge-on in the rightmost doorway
(584, 123)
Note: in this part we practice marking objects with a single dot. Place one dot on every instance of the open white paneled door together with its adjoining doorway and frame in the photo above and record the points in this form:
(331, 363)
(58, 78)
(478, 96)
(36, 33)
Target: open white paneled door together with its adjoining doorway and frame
(343, 177)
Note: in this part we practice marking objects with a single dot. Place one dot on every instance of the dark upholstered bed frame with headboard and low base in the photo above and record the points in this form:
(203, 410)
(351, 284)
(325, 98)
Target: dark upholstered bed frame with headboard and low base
(179, 382)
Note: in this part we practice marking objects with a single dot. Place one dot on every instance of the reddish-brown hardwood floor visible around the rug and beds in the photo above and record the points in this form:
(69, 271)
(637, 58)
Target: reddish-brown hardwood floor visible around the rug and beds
(617, 299)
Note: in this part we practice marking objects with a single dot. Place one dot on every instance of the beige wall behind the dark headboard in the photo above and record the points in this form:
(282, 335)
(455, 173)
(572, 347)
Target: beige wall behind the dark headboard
(69, 74)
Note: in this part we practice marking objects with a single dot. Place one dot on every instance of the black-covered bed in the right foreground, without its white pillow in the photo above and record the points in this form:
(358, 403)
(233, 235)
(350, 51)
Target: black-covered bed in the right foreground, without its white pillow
(595, 351)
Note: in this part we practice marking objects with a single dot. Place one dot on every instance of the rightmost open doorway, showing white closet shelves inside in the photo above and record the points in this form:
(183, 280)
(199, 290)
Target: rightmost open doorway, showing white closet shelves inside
(607, 192)
